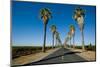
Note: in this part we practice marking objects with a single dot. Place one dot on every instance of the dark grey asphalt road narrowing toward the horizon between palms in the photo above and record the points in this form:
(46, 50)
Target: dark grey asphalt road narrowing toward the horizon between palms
(61, 56)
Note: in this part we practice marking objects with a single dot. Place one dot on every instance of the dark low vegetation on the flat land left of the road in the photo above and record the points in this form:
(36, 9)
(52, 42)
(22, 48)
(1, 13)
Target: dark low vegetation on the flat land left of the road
(18, 51)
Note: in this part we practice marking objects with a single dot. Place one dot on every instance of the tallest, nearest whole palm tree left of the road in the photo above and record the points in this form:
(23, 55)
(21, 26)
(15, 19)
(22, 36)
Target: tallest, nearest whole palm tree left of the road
(45, 15)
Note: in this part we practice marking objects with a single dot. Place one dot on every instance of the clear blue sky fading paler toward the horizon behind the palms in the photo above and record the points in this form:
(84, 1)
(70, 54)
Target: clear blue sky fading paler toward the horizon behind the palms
(27, 27)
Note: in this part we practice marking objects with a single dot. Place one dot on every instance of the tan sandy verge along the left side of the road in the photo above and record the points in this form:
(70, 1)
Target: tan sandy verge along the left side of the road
(33, 57)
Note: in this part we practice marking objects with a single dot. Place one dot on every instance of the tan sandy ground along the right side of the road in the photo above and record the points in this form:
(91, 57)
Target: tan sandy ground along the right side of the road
(88, 55)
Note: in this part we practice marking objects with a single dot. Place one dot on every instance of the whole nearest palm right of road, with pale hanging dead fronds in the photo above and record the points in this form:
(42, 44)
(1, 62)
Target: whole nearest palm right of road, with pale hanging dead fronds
(78, 16)
